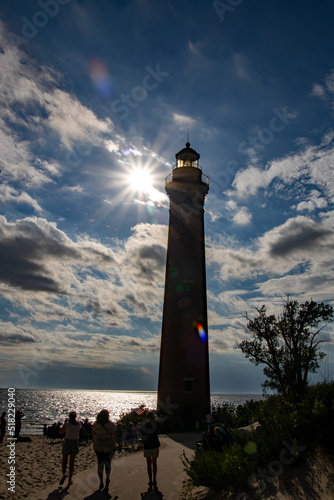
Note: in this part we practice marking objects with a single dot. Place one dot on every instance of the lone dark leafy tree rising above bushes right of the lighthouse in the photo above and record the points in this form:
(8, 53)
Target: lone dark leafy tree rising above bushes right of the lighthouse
(287, 345)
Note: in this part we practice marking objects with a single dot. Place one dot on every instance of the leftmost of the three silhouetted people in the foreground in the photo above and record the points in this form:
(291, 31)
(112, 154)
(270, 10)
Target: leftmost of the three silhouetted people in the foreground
(71, 428)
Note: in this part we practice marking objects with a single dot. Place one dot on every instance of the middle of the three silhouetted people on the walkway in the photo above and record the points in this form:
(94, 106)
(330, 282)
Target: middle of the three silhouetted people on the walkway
(105, 439)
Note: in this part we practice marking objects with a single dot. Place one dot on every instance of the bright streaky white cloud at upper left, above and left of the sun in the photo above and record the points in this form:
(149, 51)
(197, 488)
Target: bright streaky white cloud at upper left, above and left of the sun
(49, 117)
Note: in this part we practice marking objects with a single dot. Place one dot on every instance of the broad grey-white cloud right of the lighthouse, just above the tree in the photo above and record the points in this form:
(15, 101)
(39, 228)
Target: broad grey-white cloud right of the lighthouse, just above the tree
(298, 252)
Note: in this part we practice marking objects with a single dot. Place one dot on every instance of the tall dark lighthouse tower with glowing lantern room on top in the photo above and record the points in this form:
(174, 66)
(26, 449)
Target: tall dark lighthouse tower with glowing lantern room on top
(184, 356)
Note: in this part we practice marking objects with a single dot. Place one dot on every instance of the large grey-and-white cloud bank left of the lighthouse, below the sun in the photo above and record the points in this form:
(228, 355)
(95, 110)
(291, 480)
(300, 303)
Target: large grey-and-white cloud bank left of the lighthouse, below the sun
(51, 277)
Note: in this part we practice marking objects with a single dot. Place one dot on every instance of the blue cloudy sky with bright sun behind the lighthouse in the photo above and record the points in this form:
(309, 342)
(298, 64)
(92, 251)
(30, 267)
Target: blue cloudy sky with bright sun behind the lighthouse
(96, 99)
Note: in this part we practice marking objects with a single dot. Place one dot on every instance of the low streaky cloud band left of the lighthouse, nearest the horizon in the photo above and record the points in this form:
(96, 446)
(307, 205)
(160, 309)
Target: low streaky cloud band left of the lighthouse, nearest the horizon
(72, 346)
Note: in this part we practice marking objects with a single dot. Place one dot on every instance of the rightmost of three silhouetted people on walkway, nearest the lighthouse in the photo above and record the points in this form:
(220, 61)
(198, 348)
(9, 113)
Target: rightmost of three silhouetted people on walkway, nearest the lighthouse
(151, 444)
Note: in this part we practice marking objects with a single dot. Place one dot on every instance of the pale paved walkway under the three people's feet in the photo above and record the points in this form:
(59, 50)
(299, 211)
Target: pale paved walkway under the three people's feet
(129, 476)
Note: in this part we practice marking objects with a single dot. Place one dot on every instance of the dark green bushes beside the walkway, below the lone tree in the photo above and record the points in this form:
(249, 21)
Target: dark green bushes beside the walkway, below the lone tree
(306, 424)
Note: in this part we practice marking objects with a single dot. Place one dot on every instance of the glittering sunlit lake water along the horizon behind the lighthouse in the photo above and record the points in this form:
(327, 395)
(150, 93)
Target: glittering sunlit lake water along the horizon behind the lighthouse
(46, 406)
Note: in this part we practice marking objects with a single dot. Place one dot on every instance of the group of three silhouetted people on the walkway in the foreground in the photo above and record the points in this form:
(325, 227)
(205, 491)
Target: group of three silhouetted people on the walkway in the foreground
(106, 440)
